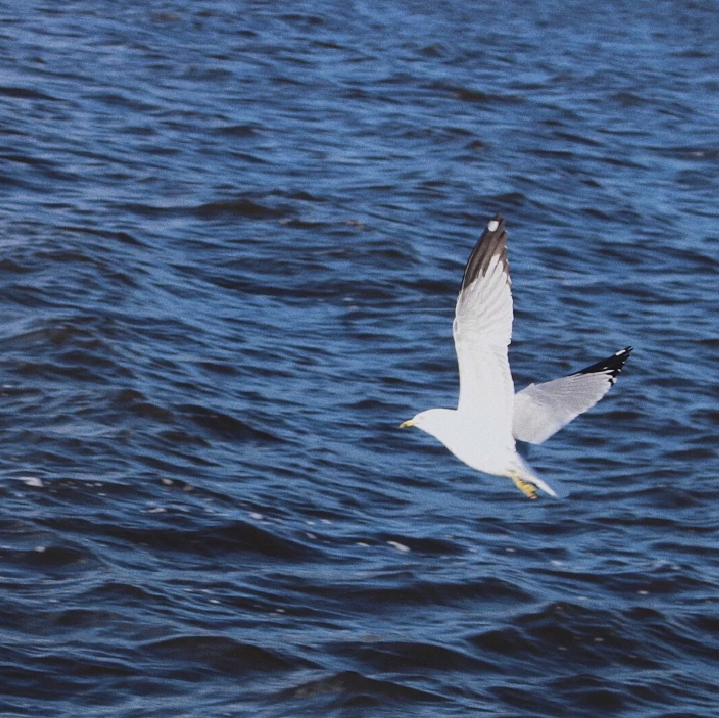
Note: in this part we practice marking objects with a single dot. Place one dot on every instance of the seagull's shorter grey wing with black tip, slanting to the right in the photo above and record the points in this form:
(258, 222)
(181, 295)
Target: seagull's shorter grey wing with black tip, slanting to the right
(540, 410)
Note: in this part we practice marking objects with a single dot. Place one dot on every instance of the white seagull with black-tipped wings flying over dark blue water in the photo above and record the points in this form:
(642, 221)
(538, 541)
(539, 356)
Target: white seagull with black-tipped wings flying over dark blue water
(490, 417)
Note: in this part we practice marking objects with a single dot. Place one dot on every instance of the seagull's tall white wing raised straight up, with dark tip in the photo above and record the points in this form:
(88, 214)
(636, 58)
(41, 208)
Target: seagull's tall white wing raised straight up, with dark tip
(482, 332)
